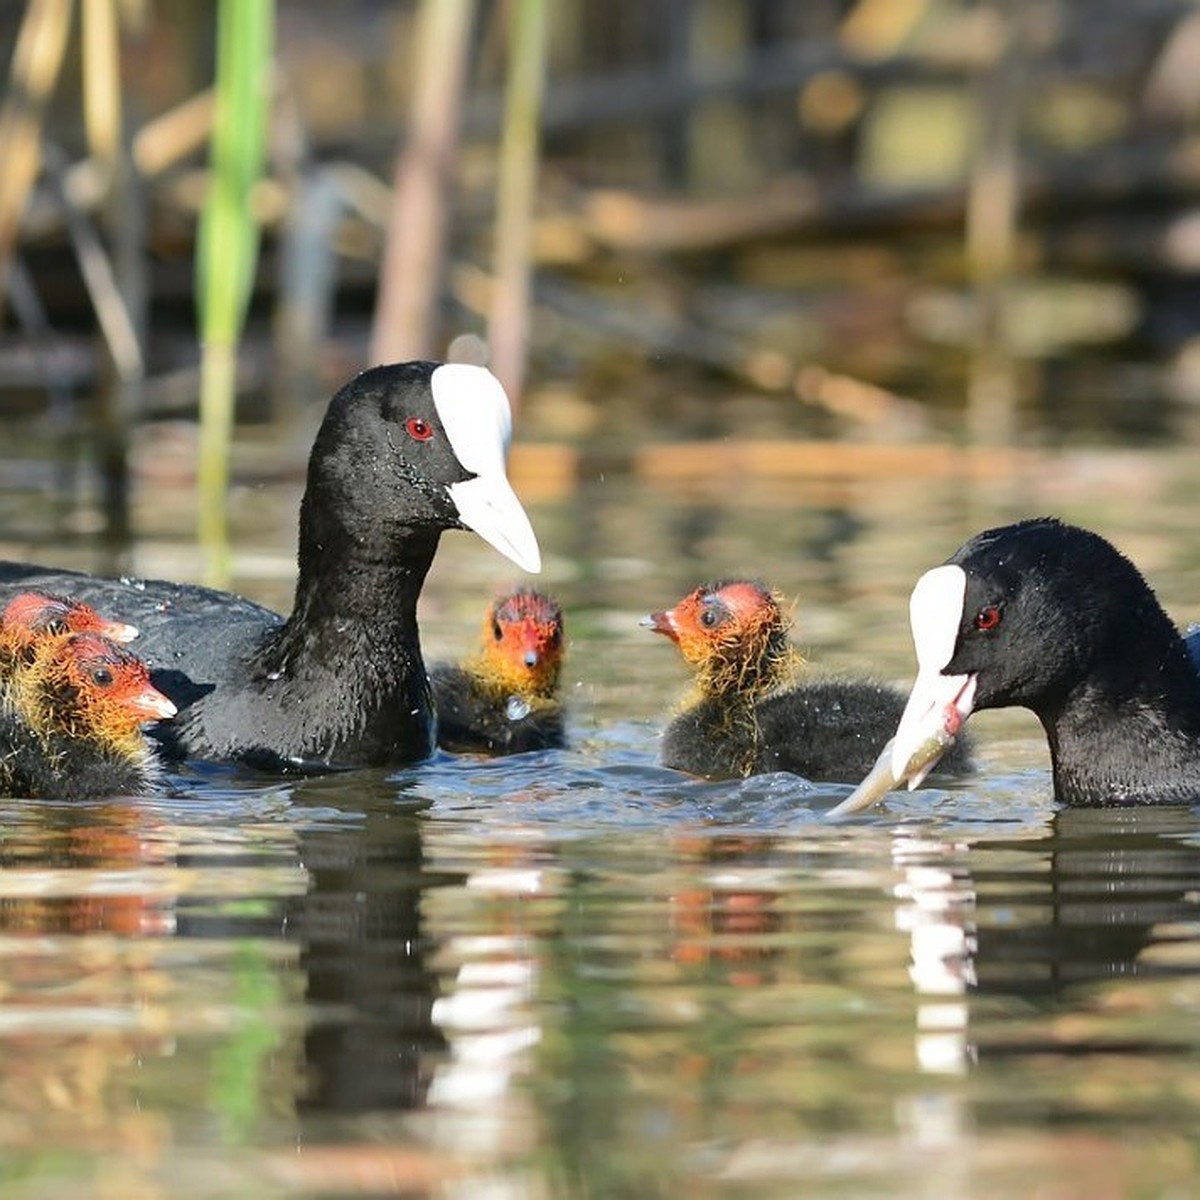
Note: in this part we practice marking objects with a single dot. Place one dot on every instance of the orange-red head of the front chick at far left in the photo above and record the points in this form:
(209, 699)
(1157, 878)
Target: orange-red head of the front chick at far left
(86, 685)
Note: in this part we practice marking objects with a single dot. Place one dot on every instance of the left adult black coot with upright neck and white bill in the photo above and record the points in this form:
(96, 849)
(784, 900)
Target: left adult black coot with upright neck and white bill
(405, 452)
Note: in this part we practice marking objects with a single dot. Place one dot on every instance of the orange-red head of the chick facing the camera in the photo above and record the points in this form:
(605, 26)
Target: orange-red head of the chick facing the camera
(524, 644)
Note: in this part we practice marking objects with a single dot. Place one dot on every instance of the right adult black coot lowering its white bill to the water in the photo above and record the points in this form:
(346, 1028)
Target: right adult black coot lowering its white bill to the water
(1051, 617)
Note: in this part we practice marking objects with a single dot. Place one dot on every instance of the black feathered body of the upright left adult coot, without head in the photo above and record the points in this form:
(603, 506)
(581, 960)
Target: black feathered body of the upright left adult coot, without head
(345, 685)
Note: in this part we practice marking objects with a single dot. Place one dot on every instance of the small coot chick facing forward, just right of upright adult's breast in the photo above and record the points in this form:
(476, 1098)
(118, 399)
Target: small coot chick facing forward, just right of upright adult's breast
(506, 699)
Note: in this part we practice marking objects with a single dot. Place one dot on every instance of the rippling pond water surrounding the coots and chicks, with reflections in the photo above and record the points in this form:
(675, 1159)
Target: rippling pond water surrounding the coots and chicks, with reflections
(578, 974)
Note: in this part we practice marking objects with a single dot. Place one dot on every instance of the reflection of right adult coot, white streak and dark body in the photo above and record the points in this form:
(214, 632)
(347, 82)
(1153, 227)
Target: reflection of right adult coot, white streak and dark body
(1010, 935)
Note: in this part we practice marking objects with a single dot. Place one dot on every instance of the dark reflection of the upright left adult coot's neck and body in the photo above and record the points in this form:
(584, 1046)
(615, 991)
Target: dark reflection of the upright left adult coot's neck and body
(370, 1042)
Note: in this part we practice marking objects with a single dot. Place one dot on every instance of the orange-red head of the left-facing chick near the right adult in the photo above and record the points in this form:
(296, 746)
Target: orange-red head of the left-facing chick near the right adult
(734, 633)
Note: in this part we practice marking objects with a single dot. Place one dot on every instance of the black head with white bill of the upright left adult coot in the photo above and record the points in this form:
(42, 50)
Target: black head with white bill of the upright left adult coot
(412, 447)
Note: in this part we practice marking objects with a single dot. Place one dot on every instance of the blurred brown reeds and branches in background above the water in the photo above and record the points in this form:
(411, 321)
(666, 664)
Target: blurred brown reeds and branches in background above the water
(844, 221)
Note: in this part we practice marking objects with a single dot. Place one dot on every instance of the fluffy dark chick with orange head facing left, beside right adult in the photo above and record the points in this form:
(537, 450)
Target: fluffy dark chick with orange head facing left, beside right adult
(742, 721)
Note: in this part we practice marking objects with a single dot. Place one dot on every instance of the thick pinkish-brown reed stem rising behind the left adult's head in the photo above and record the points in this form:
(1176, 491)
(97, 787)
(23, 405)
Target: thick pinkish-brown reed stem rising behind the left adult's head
(411, 274)
